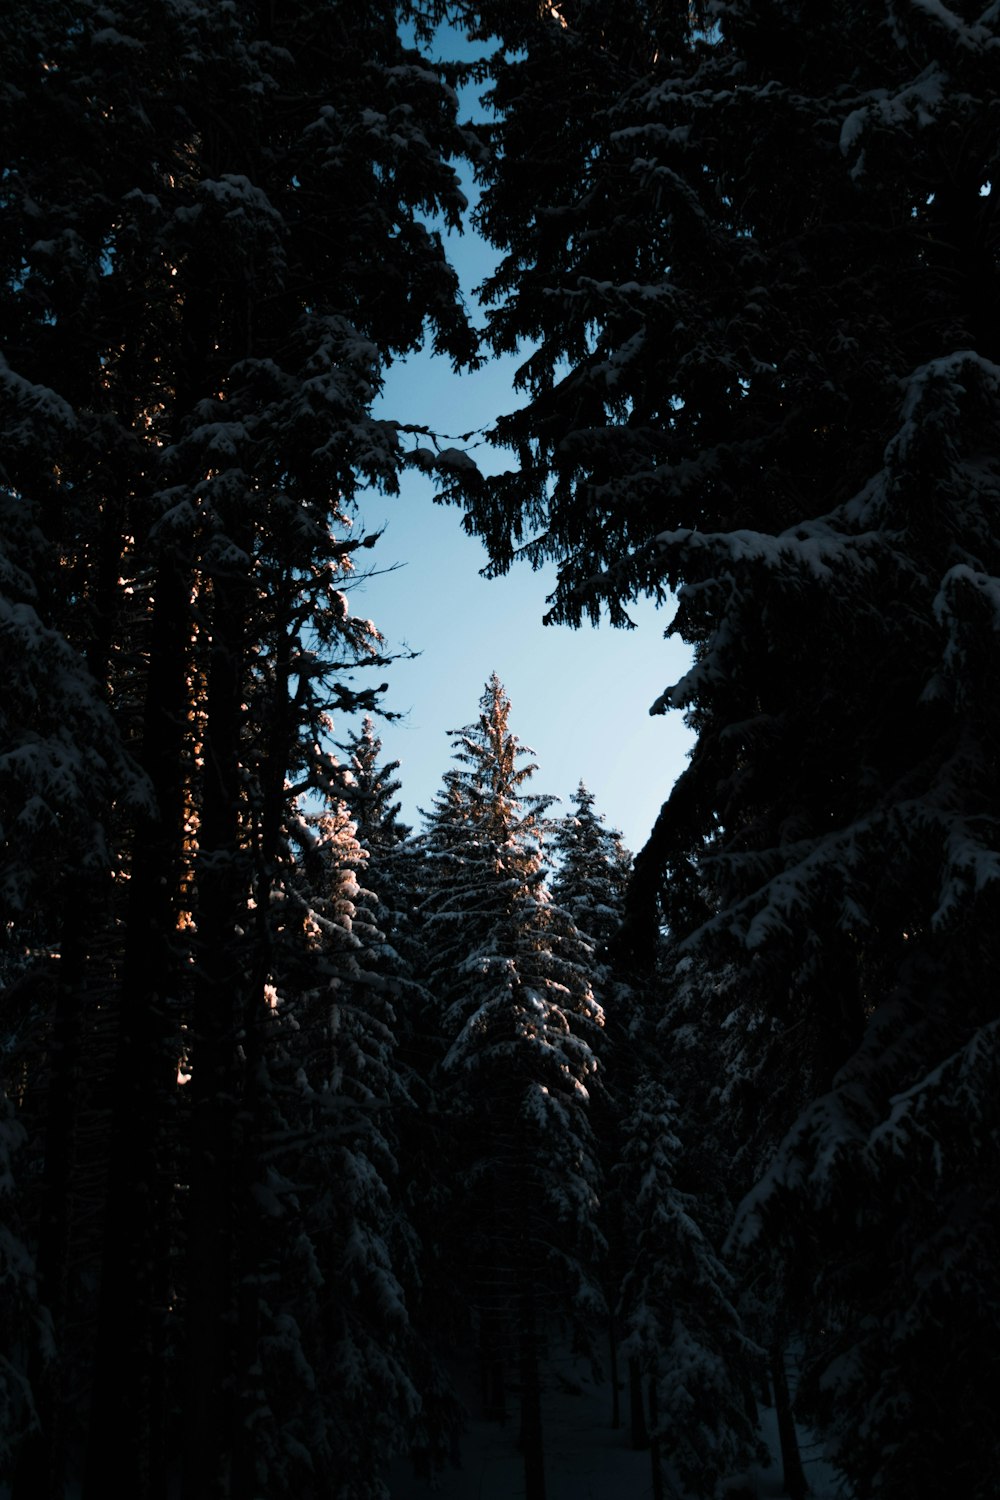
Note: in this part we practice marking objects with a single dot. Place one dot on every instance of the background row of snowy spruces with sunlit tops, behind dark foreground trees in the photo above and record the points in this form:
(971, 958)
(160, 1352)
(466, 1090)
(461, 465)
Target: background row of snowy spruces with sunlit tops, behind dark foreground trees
(458, 1151)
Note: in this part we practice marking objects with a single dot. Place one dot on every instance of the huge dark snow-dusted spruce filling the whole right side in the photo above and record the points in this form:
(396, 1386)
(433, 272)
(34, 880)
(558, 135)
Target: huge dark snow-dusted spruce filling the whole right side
(756, 251)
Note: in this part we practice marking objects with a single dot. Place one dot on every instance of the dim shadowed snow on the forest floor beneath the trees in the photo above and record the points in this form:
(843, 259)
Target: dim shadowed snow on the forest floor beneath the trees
(585, 1457)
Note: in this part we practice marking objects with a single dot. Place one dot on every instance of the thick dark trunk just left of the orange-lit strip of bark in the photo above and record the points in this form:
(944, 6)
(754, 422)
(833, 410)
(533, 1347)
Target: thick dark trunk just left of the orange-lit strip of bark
(128, 1403)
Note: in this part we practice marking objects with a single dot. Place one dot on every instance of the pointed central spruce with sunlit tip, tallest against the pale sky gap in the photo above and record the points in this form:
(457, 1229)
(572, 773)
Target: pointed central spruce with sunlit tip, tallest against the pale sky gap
(512, 979)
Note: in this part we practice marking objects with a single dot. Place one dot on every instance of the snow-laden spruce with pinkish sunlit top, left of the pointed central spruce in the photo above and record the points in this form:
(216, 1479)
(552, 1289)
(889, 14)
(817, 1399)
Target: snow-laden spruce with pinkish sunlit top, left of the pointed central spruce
(338, 1259)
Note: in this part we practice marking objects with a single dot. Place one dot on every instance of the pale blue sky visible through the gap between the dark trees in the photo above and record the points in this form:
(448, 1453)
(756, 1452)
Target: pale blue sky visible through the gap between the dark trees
(581, 698)
